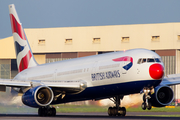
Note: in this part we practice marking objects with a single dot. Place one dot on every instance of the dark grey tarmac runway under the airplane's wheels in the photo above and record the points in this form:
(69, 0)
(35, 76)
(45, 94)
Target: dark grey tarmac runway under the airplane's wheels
(93, 116)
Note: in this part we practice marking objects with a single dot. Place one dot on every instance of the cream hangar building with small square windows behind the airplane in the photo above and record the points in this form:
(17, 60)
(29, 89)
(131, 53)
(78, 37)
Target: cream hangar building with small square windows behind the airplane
(55, 44)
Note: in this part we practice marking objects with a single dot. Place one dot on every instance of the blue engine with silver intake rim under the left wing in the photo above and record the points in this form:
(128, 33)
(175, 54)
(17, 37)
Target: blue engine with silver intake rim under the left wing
(38, 96)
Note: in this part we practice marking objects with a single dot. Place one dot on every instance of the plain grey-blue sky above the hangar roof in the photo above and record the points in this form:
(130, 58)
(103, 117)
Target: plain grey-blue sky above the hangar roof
(74, 13)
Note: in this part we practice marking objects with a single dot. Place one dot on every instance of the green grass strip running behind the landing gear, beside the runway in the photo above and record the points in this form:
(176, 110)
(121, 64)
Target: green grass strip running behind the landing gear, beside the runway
(64, 108)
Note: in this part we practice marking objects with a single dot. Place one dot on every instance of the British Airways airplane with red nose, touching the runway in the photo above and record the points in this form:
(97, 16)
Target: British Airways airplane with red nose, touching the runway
(110, 75)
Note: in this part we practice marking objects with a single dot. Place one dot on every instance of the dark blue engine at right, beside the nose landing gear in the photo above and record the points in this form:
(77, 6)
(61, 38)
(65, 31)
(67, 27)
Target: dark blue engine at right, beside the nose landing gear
(163, 95)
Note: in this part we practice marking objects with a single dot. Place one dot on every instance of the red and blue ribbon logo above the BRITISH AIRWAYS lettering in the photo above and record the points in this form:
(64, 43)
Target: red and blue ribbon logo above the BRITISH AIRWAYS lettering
(126, 58)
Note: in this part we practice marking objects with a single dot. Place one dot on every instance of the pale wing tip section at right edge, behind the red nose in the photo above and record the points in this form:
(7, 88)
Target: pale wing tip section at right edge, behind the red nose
(172, 79)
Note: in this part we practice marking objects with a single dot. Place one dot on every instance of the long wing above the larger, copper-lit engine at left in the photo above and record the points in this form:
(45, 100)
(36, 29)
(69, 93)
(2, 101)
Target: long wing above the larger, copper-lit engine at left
(70, 86)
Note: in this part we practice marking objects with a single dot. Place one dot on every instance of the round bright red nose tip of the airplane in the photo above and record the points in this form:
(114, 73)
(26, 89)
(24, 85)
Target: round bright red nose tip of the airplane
(156, 71)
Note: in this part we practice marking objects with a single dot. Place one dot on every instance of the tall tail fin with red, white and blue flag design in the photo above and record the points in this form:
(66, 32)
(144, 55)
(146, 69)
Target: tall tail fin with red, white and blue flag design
(24, 56)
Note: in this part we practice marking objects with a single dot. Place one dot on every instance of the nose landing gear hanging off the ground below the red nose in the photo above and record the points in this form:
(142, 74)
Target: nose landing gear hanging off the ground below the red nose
(147, 104)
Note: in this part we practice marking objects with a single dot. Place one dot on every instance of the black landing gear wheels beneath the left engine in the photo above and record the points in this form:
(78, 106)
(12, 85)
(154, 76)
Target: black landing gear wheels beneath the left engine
(47, 111)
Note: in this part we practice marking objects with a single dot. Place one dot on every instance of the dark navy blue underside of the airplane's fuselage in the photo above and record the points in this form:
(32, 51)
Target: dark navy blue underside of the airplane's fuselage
(107, 91)
